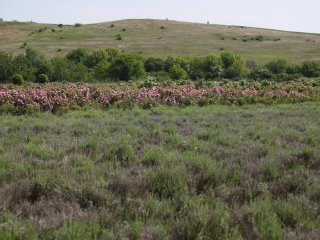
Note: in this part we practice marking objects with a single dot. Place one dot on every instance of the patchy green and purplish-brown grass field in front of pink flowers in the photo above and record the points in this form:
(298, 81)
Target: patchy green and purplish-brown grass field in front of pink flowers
(217, 172)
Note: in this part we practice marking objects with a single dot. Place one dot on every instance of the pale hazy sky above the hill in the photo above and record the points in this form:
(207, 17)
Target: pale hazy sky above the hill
(294, 15)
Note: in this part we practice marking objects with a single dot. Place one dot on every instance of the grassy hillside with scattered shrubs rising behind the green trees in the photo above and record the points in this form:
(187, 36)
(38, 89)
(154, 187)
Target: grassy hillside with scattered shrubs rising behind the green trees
(162, 38)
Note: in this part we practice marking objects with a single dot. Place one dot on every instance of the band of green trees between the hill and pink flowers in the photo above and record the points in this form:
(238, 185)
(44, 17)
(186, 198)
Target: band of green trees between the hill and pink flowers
(110, 64)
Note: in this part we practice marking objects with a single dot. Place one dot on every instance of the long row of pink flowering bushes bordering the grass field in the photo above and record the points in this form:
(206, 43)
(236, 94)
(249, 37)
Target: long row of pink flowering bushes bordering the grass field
(59, 98)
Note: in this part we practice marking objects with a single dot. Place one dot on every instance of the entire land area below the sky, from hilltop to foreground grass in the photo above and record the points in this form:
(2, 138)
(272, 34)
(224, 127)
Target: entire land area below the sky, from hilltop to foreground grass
(169, 135)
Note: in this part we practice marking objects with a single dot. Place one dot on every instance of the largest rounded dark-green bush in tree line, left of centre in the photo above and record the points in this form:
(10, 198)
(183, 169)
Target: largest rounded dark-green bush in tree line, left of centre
(126, 67)
